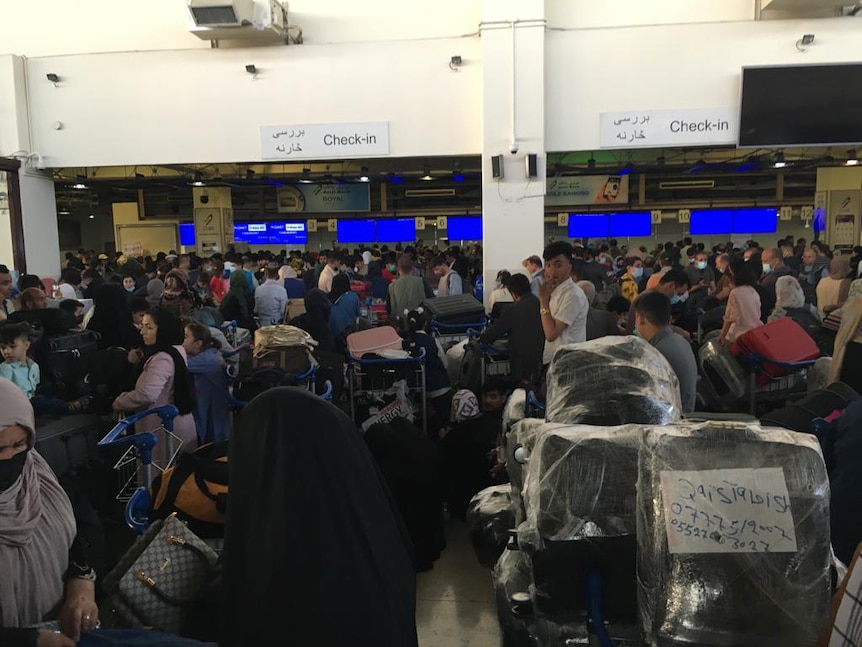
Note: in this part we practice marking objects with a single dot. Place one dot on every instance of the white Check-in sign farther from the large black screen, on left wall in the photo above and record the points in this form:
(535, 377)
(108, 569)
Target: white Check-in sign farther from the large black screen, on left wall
(321, 141)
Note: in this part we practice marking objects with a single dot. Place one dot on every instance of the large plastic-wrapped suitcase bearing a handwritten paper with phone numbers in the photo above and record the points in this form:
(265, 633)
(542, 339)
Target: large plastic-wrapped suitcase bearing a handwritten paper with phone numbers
(733, 531)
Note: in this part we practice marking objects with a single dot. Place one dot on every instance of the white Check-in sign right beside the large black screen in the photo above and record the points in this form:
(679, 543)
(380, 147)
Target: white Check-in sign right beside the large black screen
(651, 128)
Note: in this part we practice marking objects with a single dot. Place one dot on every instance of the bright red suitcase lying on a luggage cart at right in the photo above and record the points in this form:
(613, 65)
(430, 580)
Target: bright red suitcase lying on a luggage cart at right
(781, 341)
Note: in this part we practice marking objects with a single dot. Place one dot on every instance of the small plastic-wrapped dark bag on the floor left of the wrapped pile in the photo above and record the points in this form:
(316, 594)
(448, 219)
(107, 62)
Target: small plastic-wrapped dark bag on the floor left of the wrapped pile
(489, 520)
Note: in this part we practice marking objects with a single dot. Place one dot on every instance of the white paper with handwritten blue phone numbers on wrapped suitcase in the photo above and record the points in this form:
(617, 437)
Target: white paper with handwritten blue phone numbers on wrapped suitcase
(728, 511)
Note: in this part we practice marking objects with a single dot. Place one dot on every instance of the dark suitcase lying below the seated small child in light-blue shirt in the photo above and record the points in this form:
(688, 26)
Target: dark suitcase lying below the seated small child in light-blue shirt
(69, 442)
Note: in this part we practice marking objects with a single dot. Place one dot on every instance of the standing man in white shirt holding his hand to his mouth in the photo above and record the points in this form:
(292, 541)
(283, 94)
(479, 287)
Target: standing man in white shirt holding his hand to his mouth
(564, 305)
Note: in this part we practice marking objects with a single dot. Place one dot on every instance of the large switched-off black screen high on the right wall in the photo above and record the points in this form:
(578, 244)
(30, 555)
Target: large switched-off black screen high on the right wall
(801, 105)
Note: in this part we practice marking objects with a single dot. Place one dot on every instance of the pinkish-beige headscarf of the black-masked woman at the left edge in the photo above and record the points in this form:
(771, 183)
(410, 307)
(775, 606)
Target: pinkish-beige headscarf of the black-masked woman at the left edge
(37, 527)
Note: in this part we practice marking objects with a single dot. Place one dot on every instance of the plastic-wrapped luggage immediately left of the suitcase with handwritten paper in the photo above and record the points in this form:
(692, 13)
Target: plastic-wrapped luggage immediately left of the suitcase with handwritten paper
(580, 498)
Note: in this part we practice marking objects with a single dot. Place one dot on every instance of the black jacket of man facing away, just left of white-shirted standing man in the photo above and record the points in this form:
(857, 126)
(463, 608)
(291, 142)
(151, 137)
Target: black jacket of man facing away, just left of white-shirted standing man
(523, 325)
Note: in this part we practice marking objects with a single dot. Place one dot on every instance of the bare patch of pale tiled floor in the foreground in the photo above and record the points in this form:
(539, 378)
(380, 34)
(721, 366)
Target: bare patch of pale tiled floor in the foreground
(455, 600)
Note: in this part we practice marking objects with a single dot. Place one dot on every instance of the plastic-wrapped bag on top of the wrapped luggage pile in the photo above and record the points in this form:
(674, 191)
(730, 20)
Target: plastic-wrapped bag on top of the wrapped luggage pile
(612, 381)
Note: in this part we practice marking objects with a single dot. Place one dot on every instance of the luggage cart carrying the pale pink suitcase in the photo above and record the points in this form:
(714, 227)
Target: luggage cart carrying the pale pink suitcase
(367, 378)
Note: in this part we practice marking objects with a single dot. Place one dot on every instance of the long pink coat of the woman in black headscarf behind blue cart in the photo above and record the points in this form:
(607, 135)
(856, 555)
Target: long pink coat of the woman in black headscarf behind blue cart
(155, 387)
